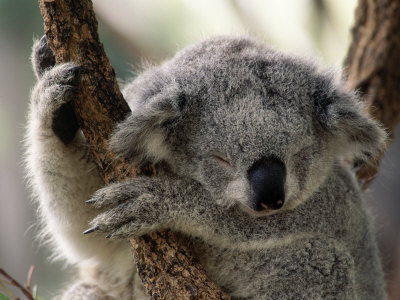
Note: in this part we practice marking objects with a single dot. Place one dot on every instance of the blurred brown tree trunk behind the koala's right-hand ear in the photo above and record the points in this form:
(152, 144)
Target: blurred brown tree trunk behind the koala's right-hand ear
(373, 65)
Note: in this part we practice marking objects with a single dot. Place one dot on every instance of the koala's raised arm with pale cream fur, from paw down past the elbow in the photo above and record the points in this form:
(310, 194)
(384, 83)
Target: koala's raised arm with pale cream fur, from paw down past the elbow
(63, 177)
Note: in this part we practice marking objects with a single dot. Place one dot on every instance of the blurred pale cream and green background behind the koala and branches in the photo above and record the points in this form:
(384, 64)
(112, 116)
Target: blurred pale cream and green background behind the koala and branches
(134, 31)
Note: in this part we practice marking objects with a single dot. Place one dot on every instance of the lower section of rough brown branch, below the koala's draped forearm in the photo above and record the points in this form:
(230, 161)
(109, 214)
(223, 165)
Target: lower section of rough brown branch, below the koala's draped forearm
(164, 265)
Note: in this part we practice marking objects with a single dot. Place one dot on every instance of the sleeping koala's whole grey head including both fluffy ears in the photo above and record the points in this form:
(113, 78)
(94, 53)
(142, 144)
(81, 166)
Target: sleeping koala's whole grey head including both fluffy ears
(254, 126)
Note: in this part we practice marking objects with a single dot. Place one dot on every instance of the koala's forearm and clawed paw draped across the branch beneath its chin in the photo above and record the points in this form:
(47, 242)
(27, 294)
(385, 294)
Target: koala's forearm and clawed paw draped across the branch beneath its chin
(148, 204)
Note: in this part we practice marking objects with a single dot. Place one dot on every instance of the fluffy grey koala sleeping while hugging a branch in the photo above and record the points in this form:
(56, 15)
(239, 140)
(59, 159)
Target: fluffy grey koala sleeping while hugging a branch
(250, 144)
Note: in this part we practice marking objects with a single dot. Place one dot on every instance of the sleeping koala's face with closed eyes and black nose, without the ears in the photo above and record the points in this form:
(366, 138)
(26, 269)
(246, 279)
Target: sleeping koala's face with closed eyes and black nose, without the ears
(249, 141)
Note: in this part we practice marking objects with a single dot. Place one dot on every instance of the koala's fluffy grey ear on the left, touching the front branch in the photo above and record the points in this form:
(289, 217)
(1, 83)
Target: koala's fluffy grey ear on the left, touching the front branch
(142, 135)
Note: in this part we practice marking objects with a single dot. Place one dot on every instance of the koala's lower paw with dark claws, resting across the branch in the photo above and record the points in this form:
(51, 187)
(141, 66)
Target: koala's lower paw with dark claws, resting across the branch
(141, 207)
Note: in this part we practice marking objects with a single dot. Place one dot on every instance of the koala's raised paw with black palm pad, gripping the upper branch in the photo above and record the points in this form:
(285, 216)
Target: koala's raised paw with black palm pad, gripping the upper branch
(52, 98)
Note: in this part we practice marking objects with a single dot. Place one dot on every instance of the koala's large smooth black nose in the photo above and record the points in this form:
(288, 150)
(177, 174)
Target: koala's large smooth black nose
(267, 180)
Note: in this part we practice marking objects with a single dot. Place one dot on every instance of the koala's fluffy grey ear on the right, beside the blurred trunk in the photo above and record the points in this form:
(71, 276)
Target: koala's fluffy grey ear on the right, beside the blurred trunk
(343, 115)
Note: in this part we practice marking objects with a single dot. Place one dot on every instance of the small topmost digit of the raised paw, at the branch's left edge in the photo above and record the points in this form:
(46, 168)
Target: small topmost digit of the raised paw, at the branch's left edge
(42, 57)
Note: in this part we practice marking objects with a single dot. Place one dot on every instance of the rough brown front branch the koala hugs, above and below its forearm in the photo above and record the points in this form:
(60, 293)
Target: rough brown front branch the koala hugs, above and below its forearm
(165, 265)
